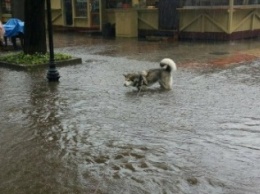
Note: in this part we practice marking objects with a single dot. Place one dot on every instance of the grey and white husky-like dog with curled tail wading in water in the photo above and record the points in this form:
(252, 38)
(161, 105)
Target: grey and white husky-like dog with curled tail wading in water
(149, 77)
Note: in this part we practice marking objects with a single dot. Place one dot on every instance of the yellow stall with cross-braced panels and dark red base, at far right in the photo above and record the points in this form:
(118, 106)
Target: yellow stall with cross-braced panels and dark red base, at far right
(219, 19)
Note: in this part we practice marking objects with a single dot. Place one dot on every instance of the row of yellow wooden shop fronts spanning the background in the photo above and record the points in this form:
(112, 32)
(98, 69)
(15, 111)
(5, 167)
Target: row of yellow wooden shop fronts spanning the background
(192, 19)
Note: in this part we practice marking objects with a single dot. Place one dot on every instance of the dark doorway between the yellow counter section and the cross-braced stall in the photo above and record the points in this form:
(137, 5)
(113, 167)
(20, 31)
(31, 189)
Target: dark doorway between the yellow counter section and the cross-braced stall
(168, 14)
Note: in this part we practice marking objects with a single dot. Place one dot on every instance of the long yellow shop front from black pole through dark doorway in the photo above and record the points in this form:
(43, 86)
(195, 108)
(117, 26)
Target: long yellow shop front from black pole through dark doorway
(128, 17)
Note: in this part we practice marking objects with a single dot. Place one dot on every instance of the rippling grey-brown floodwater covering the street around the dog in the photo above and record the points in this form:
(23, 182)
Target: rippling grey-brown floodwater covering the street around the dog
(89, 134)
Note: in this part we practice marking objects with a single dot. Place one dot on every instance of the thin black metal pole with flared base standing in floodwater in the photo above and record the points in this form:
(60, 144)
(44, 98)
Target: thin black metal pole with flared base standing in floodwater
(52, 74)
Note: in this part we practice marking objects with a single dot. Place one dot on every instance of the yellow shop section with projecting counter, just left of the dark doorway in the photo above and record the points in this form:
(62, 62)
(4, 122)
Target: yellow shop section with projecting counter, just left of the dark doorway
(131, 16)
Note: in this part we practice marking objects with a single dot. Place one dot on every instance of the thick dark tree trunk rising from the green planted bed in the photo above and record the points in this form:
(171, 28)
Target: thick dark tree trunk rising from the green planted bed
(34, 27)
